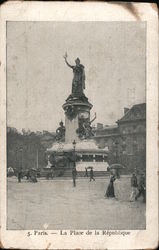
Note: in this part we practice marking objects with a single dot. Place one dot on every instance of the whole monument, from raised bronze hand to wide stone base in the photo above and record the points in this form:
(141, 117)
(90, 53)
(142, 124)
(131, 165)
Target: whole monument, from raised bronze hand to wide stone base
(75, 145)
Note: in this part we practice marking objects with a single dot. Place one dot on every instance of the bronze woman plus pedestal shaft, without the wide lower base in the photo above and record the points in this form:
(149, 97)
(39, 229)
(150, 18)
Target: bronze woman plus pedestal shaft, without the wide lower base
(77, 108)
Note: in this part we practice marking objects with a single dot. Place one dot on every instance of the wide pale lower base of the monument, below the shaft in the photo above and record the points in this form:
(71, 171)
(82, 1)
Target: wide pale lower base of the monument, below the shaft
(87, 154)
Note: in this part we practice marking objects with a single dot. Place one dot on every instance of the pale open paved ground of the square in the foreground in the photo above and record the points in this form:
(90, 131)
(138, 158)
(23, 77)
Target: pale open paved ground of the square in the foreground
(55, 204)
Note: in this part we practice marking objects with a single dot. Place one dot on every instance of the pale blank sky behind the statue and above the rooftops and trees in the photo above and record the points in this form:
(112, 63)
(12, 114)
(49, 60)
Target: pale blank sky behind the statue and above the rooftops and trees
(39, 81)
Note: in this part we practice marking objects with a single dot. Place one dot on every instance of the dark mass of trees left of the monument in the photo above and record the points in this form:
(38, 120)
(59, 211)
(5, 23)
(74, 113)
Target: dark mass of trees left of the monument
(23, 148)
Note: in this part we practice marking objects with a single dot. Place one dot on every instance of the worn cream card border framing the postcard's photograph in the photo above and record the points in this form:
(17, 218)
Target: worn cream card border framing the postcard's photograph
(87, 11)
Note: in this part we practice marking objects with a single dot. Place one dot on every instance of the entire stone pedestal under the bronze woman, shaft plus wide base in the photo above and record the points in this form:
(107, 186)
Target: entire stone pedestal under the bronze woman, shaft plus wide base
(85, 154)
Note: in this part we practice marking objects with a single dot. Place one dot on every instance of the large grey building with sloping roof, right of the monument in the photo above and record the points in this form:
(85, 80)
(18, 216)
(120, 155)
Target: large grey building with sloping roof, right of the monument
(126, 141)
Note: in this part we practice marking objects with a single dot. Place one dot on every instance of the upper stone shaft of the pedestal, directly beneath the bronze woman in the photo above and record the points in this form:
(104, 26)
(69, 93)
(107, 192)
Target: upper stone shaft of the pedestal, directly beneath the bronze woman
(77, 111)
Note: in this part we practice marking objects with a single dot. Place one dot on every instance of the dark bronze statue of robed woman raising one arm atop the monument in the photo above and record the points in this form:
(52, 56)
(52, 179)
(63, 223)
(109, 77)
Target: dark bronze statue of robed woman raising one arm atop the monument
(78, 82)
